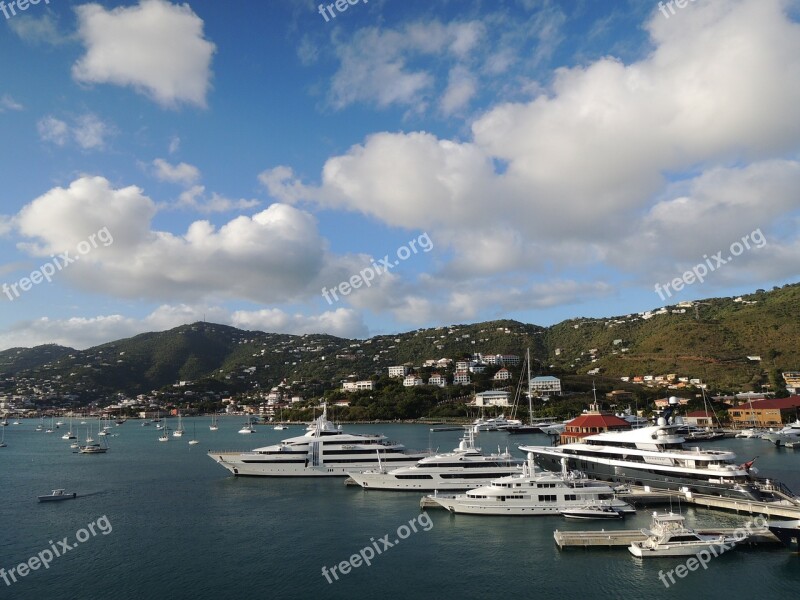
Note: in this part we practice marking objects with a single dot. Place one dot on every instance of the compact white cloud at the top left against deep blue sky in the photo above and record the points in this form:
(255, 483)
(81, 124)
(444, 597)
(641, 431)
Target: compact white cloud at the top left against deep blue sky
(156, 47)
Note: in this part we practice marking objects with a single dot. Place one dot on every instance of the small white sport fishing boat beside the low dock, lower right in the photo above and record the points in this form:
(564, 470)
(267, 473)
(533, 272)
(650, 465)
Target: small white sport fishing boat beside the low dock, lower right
(669, 536)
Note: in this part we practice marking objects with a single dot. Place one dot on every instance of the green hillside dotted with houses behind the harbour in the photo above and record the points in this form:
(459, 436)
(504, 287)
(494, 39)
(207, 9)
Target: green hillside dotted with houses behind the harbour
(710, 340)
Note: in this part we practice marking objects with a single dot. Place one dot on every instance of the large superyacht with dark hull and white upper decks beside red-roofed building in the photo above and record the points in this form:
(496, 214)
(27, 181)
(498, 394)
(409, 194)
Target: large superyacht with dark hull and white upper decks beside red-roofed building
(653, 456)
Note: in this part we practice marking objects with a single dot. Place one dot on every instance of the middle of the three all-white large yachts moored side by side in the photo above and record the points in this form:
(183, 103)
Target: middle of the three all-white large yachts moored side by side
(462, 469)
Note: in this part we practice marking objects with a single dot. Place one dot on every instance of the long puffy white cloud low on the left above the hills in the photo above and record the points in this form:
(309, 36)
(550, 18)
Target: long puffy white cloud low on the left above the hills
(273, 256)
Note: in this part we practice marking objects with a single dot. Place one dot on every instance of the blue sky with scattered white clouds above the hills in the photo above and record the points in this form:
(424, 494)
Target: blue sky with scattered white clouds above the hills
(291, 167)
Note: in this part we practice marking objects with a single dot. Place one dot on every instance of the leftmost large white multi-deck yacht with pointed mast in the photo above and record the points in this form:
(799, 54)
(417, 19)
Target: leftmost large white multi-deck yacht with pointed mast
(323, 451)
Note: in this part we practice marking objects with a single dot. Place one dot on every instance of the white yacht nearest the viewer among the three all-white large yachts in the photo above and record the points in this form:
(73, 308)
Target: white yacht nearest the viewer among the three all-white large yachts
(533, 493)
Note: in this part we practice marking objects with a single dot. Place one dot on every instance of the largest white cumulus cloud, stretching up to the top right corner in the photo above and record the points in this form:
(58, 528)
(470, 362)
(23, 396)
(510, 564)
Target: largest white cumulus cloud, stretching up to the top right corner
(564, 178)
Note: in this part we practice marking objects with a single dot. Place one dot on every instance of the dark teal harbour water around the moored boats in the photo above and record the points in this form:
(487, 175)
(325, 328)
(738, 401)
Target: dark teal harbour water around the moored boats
(181, 527)
